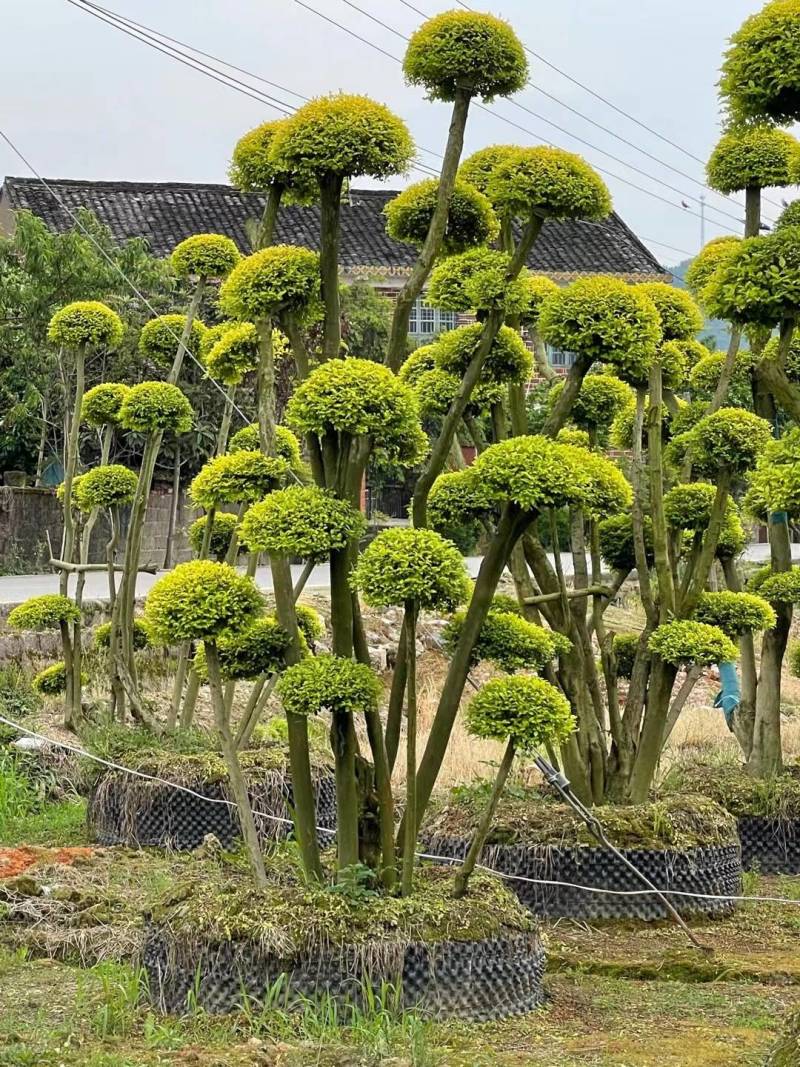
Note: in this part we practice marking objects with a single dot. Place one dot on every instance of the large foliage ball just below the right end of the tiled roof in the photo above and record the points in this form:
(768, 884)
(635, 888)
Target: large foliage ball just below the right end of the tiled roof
(605, 320)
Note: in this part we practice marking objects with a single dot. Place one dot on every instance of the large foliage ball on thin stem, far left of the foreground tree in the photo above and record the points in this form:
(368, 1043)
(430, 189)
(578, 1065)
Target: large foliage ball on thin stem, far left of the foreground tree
(201, 601)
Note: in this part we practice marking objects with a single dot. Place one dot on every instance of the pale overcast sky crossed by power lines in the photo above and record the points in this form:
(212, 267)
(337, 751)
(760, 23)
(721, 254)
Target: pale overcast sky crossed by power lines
(84, 101)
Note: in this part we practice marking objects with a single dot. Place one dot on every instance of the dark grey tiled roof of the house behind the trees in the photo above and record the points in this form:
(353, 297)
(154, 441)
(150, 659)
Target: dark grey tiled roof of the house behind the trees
(167, 213)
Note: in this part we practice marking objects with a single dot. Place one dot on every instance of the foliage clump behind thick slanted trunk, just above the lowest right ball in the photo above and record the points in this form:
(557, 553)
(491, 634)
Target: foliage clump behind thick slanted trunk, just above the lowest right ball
(508, 641)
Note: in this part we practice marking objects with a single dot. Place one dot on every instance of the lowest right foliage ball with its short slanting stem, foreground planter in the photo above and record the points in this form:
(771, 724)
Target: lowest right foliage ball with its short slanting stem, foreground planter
(525, 713)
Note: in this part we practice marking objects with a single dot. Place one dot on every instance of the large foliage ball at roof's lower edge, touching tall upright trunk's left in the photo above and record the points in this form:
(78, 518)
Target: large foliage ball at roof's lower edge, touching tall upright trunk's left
(283, 278)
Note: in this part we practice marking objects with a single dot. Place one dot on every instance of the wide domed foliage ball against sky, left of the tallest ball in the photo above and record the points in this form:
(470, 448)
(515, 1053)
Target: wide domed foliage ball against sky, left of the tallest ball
(343, 136)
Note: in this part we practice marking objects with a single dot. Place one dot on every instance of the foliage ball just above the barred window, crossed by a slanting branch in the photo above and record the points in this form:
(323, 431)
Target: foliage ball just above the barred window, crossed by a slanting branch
(478, 280)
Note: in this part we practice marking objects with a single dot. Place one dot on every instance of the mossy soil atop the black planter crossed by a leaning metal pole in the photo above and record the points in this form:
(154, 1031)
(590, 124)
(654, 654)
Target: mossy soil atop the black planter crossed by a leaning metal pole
(525, 817)
